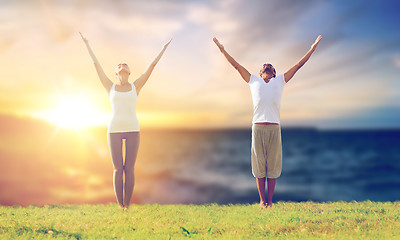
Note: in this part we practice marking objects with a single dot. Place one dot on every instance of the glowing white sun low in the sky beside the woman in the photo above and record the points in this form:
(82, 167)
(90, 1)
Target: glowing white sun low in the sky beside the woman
(75, 112)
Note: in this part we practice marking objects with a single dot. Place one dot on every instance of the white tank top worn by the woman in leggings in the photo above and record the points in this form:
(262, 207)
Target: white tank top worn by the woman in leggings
(123, 106)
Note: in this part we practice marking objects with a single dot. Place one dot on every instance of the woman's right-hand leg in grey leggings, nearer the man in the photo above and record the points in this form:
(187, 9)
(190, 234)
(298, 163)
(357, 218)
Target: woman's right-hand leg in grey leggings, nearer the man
(132, 146)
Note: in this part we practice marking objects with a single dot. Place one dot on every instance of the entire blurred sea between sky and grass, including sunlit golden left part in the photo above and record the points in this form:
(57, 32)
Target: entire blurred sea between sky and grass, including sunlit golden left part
(42, 164)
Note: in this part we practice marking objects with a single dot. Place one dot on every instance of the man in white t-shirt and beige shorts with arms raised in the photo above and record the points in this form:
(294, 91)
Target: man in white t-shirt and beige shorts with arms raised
(266, 147)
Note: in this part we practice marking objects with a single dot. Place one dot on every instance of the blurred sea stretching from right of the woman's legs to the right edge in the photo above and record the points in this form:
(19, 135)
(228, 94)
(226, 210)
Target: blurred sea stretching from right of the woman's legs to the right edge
(214, 166)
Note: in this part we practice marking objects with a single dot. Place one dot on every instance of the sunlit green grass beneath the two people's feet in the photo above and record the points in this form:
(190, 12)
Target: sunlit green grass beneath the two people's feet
(286, 220)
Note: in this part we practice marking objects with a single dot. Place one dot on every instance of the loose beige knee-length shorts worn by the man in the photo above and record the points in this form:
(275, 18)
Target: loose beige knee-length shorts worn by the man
(266, 151)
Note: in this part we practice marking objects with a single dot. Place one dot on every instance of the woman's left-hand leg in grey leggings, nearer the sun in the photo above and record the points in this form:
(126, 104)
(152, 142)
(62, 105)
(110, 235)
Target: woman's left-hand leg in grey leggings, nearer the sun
(115, 145)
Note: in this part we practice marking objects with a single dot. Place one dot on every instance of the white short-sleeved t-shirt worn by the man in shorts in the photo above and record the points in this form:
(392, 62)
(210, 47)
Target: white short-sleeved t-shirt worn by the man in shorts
(266, 98)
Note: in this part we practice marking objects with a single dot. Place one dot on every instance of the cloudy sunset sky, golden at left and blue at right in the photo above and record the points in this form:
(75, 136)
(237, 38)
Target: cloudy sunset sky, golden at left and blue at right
(351, 80)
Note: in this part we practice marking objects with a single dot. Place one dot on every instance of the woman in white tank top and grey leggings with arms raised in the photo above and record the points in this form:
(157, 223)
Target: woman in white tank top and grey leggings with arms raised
(124, 123)
